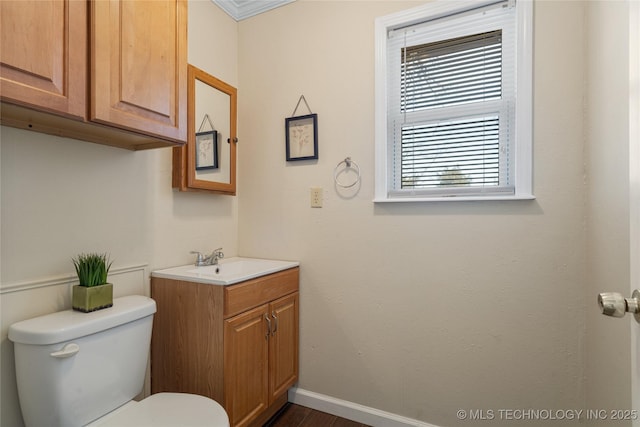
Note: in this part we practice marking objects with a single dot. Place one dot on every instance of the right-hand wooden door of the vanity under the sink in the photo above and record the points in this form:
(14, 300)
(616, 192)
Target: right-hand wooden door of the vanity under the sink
(283, 345)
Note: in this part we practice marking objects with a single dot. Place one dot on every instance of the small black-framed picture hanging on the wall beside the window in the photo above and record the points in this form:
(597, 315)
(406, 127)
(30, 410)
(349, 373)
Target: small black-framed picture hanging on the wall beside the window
(302, 137)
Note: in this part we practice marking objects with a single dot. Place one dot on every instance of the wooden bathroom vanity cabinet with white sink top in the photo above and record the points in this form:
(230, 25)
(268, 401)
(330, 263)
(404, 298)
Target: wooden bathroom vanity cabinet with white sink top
(229, 332)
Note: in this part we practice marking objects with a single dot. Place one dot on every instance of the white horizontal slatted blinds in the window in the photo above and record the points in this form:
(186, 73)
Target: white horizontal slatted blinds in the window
(450, 103)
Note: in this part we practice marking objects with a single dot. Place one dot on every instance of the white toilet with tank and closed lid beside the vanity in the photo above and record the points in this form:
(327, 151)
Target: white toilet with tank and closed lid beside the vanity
(78, 369)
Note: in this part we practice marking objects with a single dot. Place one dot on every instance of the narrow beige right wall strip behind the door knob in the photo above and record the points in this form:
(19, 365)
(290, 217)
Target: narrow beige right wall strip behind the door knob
(607, 159)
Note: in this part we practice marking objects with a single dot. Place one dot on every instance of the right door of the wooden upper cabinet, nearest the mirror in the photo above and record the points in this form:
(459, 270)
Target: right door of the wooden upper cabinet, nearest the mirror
(139, 66)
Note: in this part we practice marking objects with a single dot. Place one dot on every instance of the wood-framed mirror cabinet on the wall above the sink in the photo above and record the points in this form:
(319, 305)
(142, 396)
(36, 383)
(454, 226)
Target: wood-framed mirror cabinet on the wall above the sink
(211, 113)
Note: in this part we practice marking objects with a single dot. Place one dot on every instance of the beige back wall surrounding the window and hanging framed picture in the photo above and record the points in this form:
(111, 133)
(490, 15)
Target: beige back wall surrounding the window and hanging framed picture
(416, 309)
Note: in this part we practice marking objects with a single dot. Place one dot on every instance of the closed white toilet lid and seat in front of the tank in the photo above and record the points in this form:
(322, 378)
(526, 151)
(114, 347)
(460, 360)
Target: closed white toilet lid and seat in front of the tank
(167, 410)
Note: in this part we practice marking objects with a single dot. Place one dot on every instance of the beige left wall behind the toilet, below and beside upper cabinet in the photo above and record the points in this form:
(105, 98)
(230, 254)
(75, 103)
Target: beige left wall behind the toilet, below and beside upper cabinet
(135, 216)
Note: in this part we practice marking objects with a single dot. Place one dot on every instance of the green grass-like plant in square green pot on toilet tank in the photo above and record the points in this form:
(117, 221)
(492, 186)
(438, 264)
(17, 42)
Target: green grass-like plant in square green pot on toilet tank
(93, 293)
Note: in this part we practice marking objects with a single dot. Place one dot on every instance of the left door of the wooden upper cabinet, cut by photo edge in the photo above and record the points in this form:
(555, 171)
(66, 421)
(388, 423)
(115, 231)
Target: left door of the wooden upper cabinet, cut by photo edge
(43, 55)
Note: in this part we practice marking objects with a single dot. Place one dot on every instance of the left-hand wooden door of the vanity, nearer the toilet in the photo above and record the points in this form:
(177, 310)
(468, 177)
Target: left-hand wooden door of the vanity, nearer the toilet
(246, 346)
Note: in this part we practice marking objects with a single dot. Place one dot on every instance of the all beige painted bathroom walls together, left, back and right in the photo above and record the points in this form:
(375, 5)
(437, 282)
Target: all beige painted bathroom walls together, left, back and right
(417, 309)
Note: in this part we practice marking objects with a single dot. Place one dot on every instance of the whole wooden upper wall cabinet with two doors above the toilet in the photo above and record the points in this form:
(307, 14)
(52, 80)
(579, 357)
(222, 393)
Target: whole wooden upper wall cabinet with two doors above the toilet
(133, 59)
